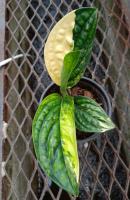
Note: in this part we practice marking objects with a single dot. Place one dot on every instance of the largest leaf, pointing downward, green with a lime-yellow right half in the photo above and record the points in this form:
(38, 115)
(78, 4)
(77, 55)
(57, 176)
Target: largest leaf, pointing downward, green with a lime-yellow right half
(49, 139)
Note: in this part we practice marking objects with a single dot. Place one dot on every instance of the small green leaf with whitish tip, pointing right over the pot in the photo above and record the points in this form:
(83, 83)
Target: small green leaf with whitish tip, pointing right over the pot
(90, 116)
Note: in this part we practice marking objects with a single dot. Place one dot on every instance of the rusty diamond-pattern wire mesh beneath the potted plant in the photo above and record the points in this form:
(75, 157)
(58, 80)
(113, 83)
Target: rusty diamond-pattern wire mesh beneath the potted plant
(104, 162)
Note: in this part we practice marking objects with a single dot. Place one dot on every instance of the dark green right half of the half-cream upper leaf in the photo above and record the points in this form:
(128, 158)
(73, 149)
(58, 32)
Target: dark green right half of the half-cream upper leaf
(83, 36)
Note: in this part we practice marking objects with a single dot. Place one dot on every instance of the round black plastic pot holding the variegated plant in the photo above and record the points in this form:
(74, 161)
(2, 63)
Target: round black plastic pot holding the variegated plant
(100, 96)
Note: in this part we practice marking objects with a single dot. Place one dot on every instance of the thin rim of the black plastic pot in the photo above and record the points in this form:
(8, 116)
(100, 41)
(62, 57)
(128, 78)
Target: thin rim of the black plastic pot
(104, 93)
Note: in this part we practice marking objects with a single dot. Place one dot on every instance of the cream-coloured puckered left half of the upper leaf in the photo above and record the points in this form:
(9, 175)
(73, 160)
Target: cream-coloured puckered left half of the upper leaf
(58, 44)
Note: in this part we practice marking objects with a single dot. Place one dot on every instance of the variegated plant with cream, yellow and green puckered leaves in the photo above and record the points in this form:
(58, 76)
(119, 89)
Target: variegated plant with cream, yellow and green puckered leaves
(67, 53)
